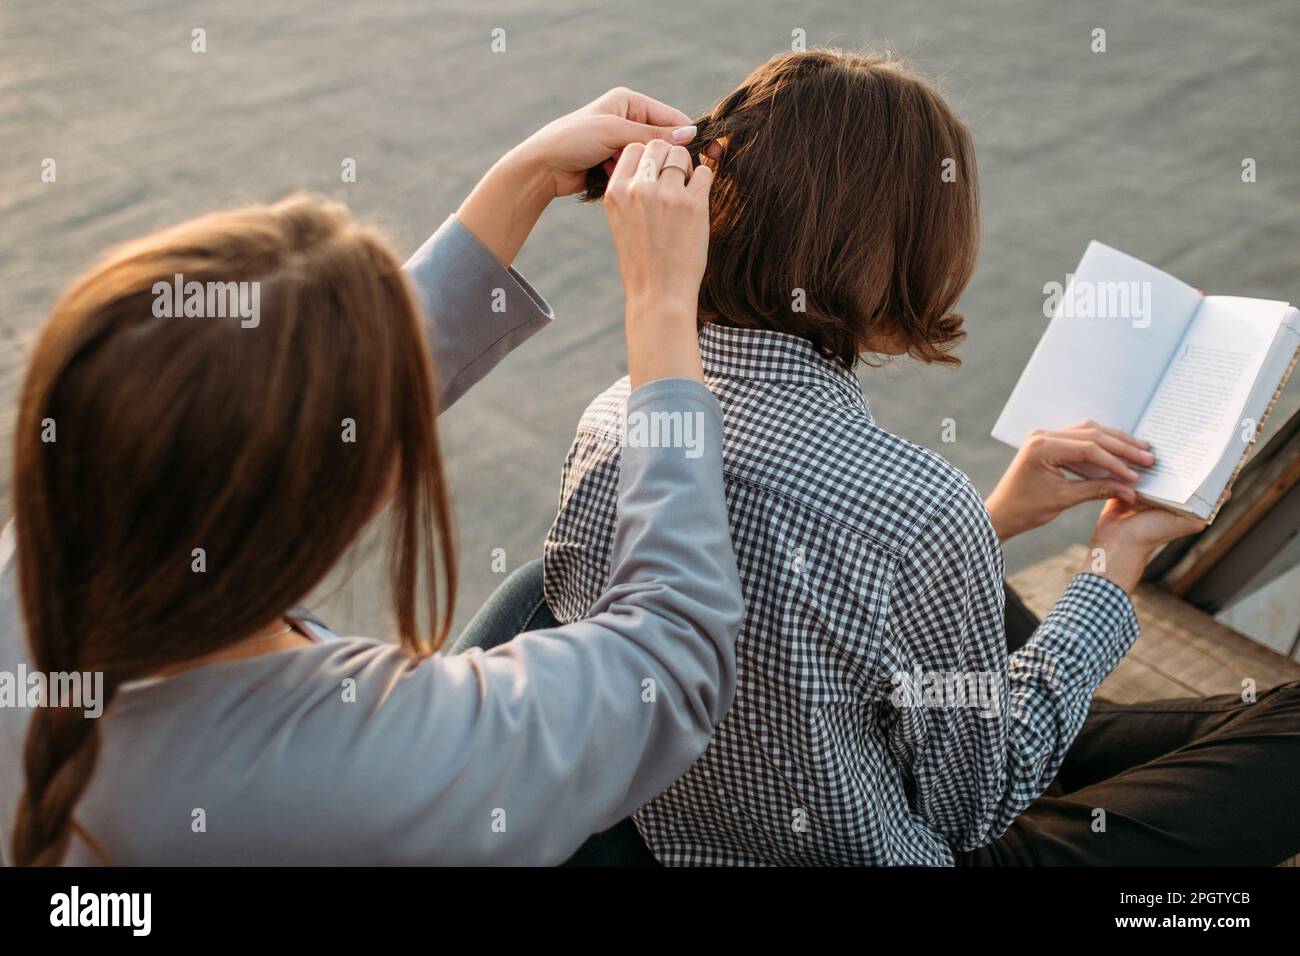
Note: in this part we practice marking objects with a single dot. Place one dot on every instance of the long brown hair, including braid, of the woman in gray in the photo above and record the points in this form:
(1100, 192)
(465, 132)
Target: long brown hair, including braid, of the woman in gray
(183, 482)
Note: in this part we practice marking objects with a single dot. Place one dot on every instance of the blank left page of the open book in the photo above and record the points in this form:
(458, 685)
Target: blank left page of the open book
(1113, 332)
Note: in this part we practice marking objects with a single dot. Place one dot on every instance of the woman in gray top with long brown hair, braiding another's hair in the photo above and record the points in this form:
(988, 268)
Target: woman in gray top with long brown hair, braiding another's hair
(183, 482)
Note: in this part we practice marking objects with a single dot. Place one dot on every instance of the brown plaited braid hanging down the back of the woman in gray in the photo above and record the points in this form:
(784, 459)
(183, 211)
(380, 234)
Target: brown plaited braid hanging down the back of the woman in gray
(63, 747)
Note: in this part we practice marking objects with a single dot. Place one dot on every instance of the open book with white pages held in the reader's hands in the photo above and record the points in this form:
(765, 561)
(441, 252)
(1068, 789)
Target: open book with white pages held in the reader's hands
(1134, 348)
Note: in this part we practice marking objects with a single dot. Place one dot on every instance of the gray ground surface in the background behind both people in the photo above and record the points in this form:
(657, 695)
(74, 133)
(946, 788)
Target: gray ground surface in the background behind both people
(1139, 146)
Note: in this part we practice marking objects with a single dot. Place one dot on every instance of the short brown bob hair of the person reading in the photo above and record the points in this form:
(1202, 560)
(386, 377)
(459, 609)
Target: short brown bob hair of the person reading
(833, 181)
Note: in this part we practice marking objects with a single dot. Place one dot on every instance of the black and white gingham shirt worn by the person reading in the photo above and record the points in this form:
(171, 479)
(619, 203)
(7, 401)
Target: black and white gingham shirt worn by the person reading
(863, 559)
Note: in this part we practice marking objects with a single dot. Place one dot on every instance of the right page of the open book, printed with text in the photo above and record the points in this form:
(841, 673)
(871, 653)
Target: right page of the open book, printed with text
(1197, 410)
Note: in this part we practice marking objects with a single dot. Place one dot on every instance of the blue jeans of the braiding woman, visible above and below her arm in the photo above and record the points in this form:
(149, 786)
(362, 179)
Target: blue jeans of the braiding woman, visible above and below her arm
(517, 607)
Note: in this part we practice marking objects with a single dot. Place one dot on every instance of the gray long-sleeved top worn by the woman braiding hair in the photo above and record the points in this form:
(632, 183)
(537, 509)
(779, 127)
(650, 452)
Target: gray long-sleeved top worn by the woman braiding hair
(349, 752)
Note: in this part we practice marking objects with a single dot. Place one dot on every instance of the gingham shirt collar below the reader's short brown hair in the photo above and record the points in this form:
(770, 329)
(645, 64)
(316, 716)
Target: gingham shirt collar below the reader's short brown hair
(769, 356)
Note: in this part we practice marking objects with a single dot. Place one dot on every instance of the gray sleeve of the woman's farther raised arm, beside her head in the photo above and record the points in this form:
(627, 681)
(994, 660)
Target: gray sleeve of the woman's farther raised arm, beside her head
(475, 310)
